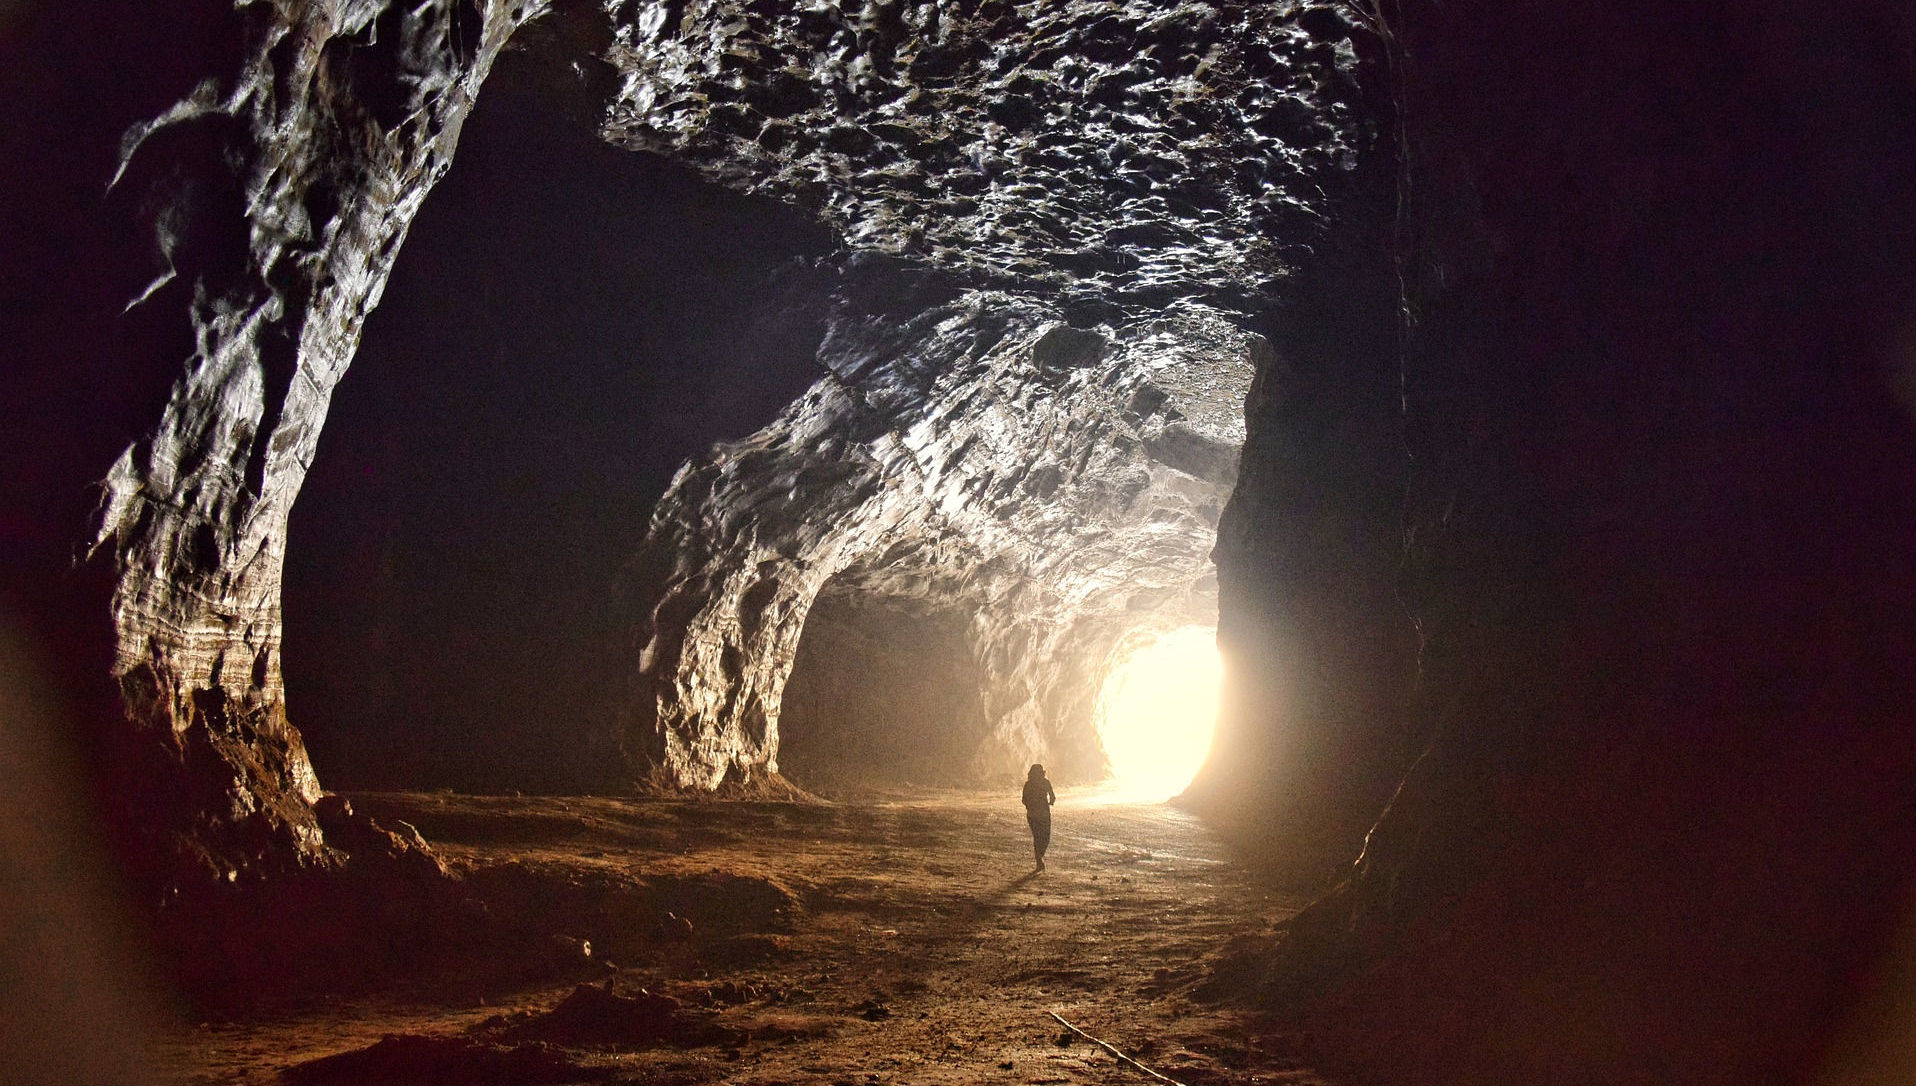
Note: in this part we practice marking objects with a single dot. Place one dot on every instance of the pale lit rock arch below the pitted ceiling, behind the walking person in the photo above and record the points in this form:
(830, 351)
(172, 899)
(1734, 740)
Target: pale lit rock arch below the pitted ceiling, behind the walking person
(1051, 487)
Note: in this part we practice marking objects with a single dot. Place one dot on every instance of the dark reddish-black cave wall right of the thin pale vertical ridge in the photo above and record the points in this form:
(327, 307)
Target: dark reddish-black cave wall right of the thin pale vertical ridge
(1660, 518)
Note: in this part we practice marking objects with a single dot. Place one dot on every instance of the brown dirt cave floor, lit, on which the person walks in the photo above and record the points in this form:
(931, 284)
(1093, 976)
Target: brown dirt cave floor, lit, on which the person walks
(896, 939)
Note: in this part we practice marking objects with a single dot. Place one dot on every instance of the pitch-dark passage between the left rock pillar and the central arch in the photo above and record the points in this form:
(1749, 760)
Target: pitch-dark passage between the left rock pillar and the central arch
(566, 325)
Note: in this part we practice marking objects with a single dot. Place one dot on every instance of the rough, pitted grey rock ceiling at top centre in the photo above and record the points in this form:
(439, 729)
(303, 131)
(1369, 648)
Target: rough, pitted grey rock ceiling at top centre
(1114, 154)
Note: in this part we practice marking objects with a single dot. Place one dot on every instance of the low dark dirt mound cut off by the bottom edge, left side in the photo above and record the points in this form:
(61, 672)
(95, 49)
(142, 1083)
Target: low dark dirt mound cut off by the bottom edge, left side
(444, 1062)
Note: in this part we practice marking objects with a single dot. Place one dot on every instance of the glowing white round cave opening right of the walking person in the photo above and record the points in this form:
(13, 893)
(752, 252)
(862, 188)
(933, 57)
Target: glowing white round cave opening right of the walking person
(1158, 712)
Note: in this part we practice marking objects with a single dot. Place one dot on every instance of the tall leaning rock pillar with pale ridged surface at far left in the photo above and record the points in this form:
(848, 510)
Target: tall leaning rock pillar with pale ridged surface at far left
(281, 194)
